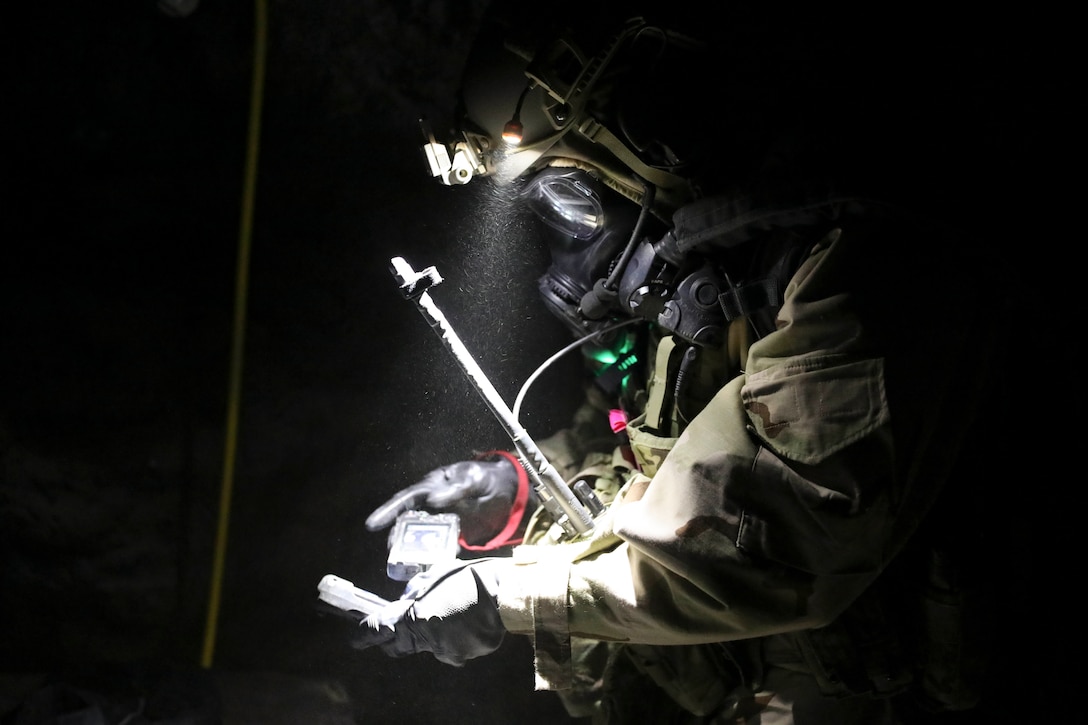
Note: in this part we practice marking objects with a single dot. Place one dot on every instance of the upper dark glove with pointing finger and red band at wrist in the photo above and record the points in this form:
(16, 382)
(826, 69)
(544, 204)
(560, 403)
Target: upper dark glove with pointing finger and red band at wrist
(485, 495)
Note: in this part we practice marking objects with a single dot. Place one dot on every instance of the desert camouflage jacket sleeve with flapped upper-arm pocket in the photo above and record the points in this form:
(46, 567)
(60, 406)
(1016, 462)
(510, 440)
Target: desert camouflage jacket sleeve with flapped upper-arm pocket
(772, 513)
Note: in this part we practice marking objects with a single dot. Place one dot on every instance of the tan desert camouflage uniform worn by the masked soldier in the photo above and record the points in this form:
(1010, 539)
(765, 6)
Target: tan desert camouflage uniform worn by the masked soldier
(744, 568)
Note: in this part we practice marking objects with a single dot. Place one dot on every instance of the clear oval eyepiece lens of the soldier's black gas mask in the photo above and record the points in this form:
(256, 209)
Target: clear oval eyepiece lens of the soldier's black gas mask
(566, 201)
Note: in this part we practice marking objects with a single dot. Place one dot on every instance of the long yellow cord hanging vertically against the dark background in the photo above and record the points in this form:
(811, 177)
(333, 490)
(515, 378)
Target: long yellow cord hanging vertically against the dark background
(238, 343)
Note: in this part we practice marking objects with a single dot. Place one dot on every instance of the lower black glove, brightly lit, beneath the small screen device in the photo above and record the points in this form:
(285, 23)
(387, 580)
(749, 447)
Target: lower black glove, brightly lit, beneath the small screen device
(449, 611)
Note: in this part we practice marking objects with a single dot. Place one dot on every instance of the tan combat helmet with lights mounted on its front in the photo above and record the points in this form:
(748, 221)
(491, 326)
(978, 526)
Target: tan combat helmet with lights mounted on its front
(607, 92)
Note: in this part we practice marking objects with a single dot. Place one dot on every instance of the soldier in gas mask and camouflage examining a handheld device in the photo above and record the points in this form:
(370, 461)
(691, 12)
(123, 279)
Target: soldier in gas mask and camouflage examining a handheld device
(789, 358)
